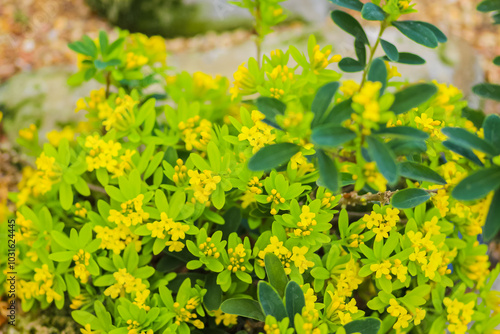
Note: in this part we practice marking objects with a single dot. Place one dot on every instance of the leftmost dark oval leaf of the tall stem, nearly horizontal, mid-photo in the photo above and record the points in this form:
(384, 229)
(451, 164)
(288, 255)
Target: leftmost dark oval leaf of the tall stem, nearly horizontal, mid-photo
(272, 156)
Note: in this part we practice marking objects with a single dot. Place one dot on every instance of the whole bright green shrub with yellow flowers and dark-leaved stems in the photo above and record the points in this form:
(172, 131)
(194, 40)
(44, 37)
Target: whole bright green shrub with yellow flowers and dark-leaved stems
(321, 206)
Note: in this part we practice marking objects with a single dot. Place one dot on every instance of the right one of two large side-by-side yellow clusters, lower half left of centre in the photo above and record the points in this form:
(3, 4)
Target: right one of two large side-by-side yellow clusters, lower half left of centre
(167, 225)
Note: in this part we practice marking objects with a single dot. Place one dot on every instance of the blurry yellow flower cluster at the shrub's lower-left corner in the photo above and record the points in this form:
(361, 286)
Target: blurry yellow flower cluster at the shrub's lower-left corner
(42, 285)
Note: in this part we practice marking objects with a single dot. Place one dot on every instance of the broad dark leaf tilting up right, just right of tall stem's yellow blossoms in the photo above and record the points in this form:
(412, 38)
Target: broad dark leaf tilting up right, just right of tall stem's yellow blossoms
(412, 97)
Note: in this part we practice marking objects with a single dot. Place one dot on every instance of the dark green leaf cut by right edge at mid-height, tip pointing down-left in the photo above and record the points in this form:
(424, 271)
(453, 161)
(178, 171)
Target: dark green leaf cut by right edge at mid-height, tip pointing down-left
(478, 184)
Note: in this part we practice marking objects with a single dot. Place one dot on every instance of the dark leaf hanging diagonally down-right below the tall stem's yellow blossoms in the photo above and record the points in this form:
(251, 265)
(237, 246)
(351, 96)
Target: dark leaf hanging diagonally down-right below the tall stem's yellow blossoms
(384, 157)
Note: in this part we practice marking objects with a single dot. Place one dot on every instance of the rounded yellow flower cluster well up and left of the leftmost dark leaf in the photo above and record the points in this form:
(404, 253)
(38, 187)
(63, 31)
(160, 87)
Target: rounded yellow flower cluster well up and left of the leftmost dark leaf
(196, 133)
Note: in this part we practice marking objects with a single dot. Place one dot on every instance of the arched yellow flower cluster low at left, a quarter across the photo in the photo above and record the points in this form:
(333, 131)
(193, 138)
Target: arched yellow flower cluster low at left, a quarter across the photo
(126, 283)
